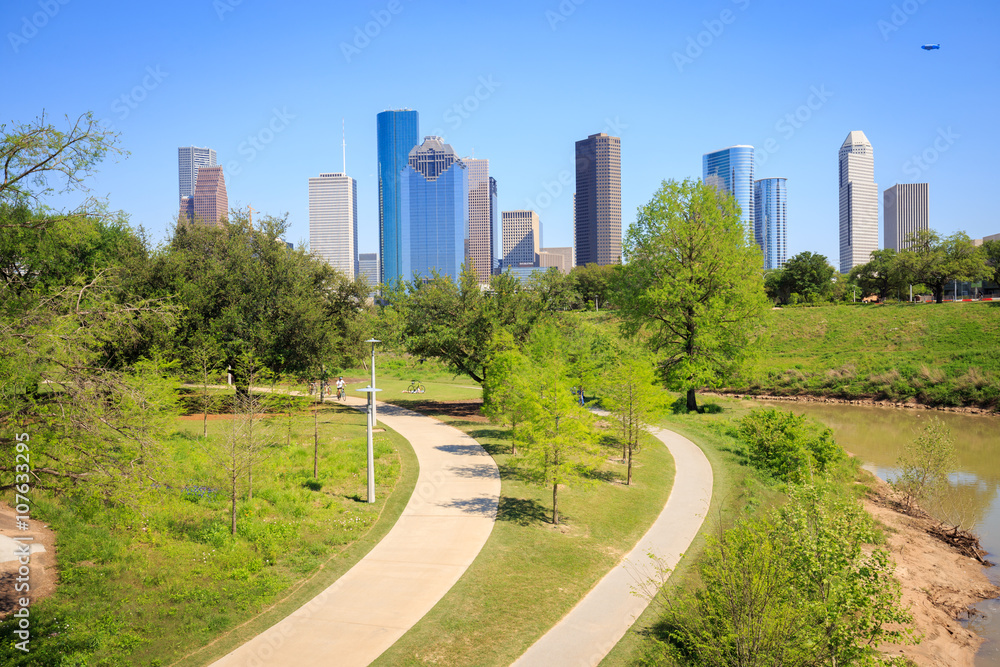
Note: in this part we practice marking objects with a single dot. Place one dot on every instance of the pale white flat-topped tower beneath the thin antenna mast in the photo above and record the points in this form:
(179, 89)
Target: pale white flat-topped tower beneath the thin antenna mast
(333, 221)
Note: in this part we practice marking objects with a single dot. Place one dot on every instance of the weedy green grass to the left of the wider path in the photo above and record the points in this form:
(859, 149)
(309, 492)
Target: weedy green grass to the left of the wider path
(148, 586)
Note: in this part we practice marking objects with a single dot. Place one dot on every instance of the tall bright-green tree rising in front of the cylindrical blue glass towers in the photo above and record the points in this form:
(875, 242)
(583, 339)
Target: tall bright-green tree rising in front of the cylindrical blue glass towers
(693, 284)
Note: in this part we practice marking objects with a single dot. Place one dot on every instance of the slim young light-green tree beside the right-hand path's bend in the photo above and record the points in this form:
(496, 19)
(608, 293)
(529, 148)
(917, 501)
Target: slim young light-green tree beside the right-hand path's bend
(633, 399)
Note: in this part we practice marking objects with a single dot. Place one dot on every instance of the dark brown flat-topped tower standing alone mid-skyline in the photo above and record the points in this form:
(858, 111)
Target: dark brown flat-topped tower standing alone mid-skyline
(597, 206)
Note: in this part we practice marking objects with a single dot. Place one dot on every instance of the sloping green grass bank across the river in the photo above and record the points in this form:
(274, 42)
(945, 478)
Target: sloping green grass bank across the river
(937, 354)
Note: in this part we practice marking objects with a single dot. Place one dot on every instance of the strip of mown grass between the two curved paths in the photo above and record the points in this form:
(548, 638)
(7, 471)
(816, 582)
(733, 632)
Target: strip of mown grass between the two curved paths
(530, 573)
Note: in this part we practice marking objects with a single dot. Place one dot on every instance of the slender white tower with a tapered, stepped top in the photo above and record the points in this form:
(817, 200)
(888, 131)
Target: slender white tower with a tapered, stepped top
(858, 201)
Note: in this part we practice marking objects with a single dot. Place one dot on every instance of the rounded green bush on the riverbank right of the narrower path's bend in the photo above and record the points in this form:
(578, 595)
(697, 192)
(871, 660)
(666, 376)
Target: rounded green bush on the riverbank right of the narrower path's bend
(787, 445)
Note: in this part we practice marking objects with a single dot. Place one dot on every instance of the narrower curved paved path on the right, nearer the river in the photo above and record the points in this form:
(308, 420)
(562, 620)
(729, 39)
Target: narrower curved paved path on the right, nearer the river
(592, 628)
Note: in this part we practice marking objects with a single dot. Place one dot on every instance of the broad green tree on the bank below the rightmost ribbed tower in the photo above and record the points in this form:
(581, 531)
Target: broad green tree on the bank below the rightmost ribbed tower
(935, 262)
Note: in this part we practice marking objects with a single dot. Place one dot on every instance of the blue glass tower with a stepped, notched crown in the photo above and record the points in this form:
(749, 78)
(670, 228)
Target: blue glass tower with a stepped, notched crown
(434, 203)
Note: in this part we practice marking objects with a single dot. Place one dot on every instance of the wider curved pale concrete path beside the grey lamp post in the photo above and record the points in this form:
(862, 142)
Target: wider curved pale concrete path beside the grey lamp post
(440, 532)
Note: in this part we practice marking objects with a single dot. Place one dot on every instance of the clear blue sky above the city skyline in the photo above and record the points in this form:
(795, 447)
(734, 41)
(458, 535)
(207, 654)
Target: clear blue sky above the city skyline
(519, 83)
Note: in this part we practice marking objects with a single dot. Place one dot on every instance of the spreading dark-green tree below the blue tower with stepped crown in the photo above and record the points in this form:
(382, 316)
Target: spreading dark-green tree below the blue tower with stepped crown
(457, 323)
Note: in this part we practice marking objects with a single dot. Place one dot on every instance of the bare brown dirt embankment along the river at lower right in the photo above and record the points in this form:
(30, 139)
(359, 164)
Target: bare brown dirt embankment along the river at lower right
(938, 584)
